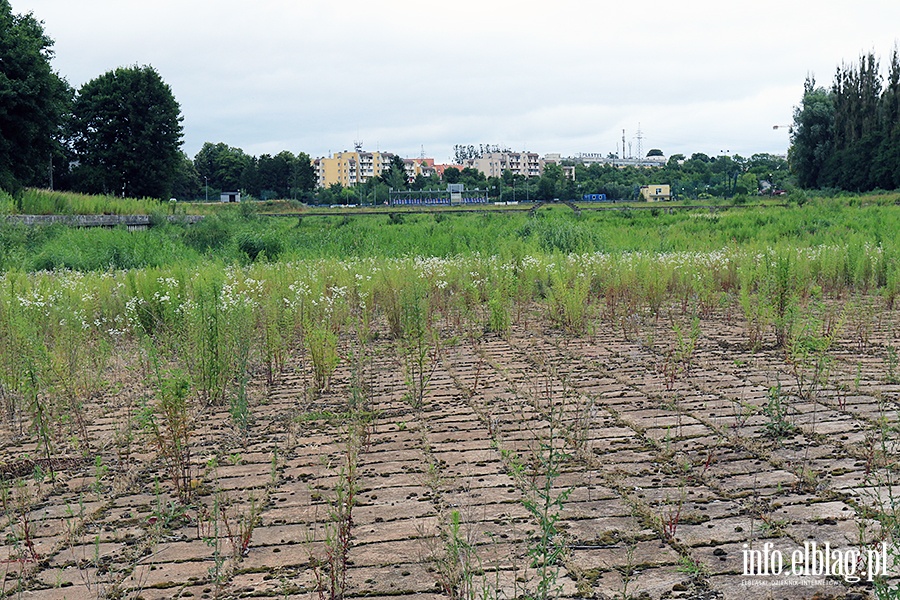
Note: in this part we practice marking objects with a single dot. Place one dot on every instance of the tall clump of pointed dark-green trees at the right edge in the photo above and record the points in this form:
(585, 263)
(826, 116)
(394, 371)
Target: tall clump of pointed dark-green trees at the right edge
(848, 136)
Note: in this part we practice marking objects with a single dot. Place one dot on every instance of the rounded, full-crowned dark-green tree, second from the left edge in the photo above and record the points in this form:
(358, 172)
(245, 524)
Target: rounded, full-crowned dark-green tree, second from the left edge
(126, 127)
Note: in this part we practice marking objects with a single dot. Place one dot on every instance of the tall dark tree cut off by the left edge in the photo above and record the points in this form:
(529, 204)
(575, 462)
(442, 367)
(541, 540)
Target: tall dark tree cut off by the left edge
(33, 101)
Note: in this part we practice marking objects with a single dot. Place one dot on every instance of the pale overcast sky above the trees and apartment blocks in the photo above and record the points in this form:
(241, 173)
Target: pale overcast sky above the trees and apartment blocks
(563, 76)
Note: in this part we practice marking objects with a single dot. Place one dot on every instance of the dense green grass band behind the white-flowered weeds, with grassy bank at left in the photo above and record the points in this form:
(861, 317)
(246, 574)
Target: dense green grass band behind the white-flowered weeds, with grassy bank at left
(240, 235)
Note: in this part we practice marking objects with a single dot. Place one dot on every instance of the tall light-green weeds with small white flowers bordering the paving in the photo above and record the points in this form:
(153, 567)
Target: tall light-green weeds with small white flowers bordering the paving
(206, 313)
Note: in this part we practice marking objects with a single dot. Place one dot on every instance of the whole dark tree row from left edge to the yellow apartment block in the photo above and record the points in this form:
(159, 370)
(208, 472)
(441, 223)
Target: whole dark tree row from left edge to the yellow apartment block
(119, 134)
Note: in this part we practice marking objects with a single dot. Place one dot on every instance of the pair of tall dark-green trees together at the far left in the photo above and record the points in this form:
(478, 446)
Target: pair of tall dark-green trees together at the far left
(118, 134)
